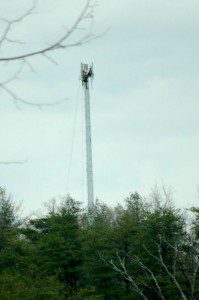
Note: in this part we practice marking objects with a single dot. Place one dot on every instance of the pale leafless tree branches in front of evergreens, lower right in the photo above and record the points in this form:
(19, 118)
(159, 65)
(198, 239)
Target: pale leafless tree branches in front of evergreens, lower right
(184, 262)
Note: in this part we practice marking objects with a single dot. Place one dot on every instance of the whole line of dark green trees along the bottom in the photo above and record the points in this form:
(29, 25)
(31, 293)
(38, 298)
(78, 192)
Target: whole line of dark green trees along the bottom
(141, 250)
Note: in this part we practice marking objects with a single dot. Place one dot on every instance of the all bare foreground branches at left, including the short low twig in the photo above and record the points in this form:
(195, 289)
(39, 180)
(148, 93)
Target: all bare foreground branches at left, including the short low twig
(24, 58)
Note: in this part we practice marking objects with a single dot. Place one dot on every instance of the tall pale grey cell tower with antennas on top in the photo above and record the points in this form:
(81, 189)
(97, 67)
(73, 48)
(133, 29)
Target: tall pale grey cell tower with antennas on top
(87, 75)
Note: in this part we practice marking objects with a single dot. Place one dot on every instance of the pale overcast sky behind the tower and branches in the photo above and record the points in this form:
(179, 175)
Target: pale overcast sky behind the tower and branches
(144, 103)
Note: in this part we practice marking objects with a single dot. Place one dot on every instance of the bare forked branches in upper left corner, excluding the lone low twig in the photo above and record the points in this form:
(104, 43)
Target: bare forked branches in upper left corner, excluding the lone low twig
(61, 43)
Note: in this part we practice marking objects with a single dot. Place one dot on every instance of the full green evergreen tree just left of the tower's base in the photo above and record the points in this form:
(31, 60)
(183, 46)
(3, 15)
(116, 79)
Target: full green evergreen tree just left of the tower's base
(56, 238)
